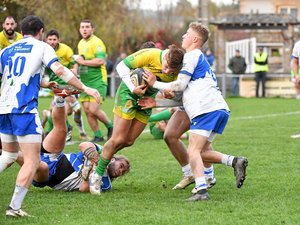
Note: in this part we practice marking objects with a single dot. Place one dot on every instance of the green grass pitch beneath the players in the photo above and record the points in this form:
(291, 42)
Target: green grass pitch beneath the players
(259, 129)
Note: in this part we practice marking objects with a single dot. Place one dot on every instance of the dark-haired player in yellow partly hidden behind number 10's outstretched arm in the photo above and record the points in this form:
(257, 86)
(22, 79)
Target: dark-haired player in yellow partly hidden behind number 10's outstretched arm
(65, 57)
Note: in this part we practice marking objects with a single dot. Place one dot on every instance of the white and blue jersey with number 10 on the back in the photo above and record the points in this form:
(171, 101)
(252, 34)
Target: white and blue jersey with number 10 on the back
(20, 72)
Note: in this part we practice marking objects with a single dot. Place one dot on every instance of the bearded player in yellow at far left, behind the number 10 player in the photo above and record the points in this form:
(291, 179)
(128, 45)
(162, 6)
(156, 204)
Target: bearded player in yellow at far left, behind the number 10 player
(9, 34)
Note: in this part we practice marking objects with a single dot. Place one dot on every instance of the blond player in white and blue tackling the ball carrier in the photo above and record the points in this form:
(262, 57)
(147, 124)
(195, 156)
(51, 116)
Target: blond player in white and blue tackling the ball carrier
(205, 107)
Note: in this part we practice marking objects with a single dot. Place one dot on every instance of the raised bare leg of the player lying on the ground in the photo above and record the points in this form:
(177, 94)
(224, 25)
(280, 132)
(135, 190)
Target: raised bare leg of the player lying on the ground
(55, 140)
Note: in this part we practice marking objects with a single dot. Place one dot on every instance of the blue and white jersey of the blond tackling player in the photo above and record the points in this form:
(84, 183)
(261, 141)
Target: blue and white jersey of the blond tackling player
(202, 95)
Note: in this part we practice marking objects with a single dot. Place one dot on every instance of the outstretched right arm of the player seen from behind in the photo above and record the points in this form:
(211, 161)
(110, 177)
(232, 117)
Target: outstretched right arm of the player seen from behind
(66, 75)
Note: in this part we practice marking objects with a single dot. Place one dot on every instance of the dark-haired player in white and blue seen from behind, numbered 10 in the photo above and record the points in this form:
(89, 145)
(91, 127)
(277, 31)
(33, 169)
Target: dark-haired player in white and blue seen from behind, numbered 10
(20, 127)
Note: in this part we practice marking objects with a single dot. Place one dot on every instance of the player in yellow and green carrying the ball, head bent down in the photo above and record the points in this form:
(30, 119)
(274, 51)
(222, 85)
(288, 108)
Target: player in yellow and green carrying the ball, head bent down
(129, 119)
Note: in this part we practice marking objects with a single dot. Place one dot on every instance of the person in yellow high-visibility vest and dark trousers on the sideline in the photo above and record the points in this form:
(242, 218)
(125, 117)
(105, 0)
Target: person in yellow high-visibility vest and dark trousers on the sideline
(260, 69)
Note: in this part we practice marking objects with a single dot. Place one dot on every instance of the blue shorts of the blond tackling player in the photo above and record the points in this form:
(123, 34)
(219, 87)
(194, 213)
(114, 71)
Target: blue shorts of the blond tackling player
(213, 121)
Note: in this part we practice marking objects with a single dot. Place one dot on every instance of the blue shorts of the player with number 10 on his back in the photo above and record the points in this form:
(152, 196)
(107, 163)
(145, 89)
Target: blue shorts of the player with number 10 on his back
(20, 124)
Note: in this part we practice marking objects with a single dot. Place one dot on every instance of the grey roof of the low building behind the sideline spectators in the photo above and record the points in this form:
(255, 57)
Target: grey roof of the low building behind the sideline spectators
(255, 21)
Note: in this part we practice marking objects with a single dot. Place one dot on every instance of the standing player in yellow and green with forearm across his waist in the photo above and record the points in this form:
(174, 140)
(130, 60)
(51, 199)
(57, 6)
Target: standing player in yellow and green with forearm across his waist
(92, 72)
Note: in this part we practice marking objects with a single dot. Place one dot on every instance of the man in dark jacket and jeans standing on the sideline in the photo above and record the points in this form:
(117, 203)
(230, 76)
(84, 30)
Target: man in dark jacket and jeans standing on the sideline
(237, 65)
